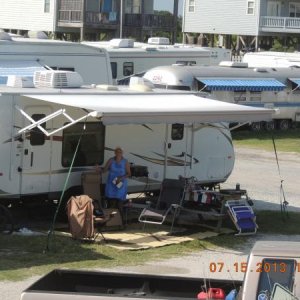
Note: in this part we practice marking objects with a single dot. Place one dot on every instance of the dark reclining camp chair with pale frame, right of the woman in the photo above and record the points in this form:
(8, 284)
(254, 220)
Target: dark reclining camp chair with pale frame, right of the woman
(170, 197)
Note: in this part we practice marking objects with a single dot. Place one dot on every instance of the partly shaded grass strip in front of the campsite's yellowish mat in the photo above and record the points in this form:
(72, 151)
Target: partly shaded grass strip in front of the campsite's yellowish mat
(25, 256)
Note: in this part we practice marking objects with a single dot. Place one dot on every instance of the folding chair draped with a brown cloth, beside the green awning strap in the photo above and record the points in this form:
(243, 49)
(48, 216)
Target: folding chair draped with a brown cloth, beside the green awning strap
(83, 221)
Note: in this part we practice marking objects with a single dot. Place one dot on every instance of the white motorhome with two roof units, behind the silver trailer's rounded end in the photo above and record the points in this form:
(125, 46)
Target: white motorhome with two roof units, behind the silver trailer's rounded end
(128, 57)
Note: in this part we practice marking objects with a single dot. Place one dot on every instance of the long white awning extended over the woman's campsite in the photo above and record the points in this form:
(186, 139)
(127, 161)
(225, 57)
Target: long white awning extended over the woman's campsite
(116, 108)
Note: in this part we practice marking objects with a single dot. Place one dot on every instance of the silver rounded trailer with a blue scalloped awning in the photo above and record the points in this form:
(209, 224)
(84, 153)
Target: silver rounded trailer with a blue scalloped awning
(277, 88)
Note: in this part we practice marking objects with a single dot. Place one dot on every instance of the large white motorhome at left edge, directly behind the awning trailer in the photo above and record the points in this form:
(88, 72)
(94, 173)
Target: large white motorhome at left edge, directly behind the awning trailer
(24, 56)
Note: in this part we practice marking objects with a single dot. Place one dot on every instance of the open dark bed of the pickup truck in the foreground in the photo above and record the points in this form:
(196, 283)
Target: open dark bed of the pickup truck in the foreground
(75, 284)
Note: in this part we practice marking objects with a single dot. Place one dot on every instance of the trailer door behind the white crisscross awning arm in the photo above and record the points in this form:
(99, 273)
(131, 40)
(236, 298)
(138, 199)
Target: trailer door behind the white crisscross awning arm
(36, 155)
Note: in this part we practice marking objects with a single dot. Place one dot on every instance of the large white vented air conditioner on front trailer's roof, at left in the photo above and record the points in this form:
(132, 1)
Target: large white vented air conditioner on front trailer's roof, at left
(57, 79)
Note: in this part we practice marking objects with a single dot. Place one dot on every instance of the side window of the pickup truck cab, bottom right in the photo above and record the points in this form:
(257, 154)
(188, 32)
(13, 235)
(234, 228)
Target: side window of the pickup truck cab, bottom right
(273, 271)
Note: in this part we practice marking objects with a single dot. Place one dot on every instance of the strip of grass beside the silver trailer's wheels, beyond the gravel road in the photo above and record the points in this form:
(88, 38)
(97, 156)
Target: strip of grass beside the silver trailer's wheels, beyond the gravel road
(286, 141)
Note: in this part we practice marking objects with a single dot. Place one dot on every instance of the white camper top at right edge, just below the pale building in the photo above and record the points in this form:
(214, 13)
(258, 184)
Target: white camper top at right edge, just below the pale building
(272, 59)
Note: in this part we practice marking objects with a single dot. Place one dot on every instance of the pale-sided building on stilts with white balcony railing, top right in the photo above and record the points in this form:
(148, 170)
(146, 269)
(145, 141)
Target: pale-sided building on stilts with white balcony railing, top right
(255, 22)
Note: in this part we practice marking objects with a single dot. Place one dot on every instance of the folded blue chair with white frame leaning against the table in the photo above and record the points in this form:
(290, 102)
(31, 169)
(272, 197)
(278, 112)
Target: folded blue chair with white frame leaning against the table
(242, 216)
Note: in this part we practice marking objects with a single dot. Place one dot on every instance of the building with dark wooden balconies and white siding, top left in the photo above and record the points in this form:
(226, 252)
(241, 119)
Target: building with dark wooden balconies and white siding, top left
(86, 19)
